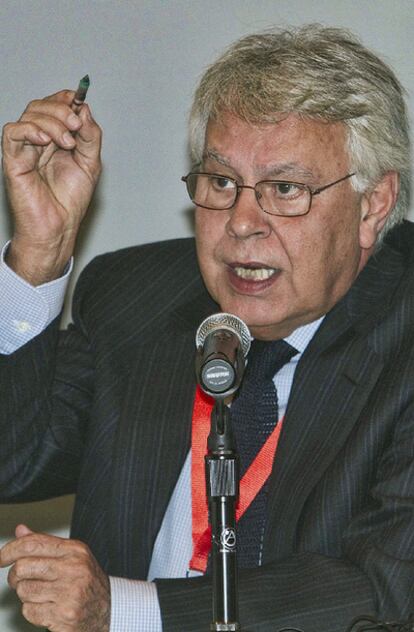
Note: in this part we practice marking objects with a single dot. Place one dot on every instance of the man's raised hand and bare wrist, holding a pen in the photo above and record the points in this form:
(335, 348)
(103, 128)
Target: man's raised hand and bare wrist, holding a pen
(51, 161)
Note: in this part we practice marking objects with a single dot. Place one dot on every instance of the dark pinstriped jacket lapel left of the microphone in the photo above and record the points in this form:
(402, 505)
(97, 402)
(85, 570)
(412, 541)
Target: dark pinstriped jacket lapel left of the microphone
(154, 435)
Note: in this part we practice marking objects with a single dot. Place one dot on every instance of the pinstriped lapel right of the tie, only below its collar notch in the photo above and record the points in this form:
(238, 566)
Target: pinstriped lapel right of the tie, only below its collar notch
(327, 398)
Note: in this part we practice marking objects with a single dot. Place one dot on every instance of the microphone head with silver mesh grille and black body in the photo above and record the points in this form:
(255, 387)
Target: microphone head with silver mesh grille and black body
(222, 341)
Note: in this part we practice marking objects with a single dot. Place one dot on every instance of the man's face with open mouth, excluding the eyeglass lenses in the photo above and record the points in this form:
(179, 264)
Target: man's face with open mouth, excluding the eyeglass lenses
(277, 273)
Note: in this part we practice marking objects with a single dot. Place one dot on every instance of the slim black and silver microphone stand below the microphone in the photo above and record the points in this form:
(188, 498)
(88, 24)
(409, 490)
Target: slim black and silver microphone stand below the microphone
(222, 479)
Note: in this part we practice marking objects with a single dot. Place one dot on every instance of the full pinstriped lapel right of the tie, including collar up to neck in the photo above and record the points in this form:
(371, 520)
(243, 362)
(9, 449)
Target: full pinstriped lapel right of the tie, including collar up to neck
(333, 382)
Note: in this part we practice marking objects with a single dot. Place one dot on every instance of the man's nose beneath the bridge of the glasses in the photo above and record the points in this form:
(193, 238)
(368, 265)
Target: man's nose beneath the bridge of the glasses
(246, 218)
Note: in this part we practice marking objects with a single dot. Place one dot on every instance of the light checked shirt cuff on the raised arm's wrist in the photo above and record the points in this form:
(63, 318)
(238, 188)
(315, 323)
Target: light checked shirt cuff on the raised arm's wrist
(25, 311)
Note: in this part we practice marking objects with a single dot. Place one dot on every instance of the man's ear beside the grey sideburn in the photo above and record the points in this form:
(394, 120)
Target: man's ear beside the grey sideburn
(376, 206)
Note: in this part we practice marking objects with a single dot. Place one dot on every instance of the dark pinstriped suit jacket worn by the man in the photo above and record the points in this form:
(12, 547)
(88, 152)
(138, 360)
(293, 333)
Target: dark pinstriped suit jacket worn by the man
(104, 410)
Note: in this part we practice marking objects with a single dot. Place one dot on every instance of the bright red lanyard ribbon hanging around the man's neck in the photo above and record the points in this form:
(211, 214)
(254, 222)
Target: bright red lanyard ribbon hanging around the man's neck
(251, 483)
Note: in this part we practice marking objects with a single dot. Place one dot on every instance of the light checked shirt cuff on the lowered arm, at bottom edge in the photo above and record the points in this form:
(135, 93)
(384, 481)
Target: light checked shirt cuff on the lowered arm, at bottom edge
(134, 606)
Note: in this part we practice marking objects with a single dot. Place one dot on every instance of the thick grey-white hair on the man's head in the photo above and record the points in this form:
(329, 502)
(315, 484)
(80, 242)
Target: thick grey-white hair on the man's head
(322, 73)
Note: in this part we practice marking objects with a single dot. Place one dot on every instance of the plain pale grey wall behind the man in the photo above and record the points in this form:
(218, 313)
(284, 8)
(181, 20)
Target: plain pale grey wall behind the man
(144, 57)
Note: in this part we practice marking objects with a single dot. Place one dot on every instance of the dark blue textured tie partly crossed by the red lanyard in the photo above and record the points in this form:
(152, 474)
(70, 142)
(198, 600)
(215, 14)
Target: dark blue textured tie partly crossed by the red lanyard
(254, 415)
